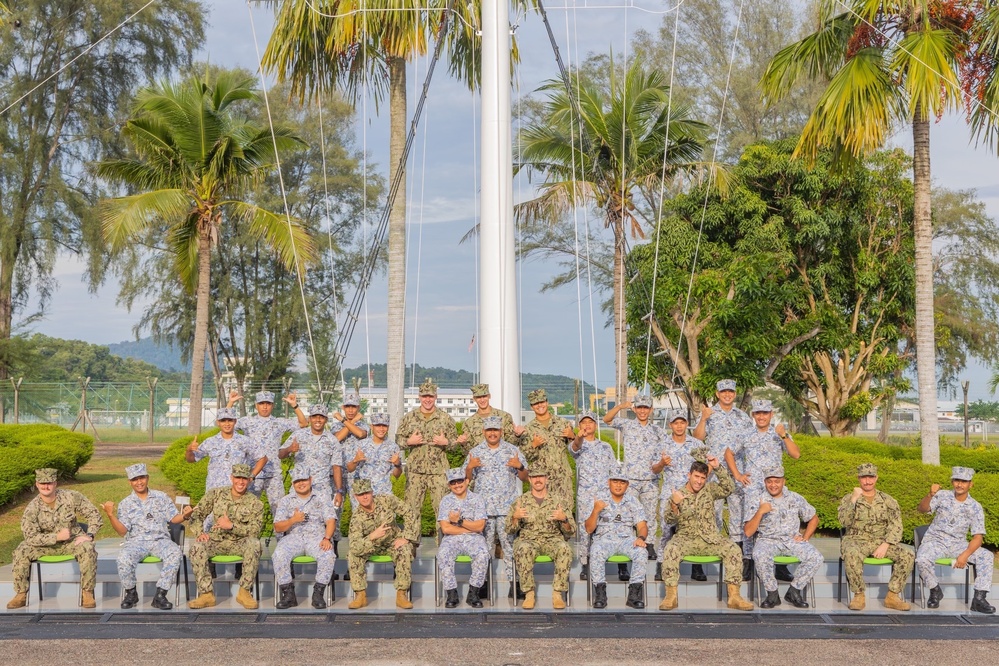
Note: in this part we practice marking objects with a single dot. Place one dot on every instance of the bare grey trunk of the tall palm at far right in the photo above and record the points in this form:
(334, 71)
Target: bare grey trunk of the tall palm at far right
(926, 357)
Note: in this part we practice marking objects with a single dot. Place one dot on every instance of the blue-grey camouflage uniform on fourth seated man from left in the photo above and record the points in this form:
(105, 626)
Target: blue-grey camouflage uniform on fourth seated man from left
(304, 538)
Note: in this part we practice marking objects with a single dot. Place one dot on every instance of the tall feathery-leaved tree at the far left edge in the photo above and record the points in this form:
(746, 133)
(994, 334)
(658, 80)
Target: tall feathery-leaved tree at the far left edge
(63, 97)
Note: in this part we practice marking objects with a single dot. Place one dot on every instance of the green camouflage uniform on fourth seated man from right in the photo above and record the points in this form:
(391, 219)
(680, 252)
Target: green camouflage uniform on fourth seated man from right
(697, 531)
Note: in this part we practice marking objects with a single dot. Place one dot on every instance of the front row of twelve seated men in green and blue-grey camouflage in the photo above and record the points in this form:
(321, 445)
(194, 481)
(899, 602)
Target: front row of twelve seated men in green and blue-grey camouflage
(538, 522)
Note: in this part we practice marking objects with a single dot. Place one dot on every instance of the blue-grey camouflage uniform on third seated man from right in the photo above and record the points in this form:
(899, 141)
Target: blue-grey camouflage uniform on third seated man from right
(776, 533)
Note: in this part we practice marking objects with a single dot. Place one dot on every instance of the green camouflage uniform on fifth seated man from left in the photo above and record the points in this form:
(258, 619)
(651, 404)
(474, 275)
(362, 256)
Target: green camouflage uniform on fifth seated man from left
(362, 523)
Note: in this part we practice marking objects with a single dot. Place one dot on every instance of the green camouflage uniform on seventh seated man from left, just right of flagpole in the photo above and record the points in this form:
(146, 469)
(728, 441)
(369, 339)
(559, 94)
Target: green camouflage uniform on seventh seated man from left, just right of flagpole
(539, 534)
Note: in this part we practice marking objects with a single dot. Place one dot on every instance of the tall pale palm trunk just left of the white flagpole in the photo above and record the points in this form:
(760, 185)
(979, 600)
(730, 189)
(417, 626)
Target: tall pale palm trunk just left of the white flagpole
(396, 329)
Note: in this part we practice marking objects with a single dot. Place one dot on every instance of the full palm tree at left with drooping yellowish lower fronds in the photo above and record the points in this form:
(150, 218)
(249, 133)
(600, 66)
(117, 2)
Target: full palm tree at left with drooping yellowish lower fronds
(194, 155)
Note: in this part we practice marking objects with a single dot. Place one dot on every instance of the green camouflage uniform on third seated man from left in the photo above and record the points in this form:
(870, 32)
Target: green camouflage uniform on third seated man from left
(247, 516)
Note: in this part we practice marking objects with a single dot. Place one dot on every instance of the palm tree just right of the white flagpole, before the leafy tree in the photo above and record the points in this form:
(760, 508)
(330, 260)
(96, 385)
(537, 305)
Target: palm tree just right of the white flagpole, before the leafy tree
(614, 146)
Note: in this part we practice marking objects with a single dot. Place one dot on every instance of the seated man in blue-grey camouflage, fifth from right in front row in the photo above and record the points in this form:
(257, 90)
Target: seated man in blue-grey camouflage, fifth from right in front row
(618, 526)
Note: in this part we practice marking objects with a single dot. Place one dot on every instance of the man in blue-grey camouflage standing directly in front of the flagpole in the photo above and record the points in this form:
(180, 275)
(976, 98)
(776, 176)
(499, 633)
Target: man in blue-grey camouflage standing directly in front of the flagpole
(496, 469)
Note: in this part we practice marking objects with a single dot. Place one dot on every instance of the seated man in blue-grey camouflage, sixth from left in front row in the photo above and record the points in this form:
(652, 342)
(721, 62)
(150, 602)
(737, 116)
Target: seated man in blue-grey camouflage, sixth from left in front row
(461, 519)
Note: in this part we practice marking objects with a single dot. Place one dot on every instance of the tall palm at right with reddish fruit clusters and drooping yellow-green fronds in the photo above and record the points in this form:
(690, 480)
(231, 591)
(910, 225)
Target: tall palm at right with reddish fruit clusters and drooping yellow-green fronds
(888, 63)
